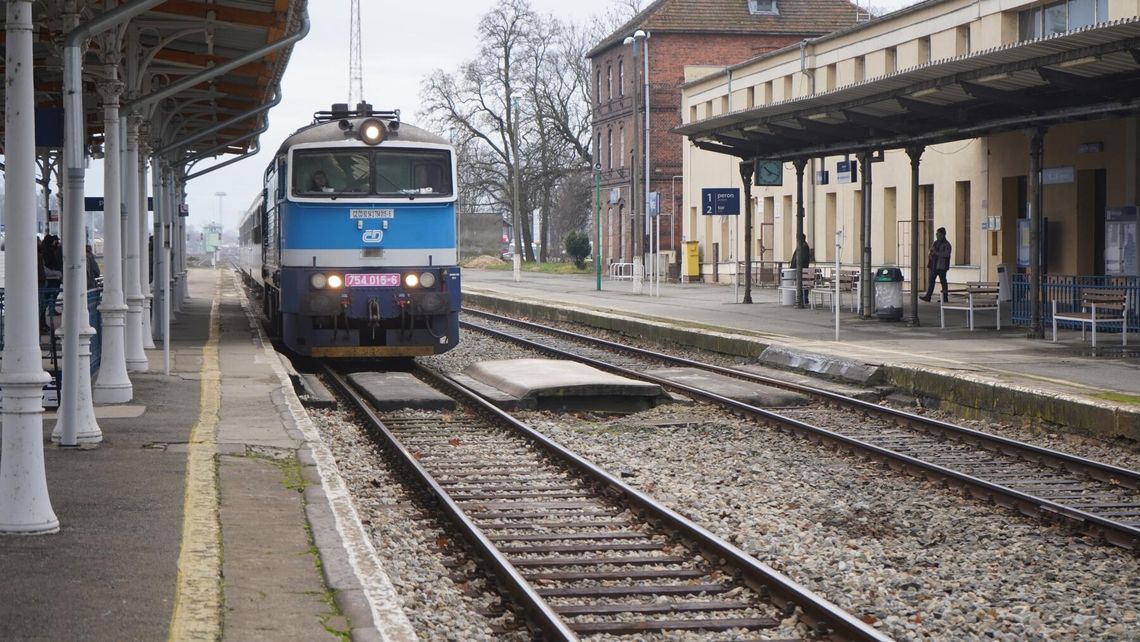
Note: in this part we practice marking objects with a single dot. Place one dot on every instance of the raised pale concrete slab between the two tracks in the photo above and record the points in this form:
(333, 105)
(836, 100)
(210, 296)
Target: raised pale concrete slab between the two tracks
(564, 386)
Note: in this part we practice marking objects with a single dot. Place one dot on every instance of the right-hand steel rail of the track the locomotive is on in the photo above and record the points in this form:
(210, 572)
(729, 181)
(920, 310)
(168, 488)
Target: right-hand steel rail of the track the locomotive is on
(826, 617)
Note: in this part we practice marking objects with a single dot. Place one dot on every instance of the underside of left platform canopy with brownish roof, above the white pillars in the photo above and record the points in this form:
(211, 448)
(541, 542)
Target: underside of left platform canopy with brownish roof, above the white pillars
(168, 45)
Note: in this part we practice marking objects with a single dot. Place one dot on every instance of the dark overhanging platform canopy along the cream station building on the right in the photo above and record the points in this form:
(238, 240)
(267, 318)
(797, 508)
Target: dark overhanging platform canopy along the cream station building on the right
(1085, 75)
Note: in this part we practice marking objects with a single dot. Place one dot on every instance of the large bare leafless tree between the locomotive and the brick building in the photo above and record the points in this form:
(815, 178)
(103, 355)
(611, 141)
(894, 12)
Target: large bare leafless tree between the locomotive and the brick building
(525, 102)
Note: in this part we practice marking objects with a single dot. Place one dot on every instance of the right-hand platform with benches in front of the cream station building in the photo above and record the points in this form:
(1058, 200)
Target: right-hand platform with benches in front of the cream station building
(988, 373)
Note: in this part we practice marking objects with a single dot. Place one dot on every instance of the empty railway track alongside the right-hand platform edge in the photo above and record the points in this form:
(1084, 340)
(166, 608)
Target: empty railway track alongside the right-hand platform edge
(1041, 483)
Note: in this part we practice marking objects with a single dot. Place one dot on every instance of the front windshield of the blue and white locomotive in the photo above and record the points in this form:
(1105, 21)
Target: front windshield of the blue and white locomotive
(372, 173)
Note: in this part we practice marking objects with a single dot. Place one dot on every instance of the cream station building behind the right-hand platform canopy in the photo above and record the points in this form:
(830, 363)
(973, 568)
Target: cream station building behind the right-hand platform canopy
(1001, 105)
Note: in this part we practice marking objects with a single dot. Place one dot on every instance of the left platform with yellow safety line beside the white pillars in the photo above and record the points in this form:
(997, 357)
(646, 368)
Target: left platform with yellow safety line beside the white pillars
(210, 510)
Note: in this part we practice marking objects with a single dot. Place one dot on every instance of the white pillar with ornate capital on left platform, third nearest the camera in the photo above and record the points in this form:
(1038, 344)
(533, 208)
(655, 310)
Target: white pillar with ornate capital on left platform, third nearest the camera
(112, 386)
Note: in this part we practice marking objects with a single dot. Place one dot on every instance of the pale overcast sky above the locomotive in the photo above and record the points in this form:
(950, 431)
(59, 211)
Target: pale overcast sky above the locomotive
(403, 43)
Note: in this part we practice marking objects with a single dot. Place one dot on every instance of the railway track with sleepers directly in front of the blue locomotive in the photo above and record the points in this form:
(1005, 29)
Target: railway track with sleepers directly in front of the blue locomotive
(582, 552)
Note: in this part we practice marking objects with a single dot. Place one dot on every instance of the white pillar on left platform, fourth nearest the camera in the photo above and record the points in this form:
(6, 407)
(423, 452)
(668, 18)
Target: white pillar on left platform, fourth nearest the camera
(135, 352)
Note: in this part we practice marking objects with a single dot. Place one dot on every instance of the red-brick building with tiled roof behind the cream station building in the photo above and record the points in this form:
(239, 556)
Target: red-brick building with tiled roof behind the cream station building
(675, 35)
